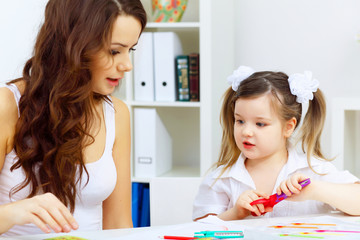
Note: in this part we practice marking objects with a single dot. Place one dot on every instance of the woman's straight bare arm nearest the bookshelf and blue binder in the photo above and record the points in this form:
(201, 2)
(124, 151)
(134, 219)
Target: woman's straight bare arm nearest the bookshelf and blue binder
(117, 207)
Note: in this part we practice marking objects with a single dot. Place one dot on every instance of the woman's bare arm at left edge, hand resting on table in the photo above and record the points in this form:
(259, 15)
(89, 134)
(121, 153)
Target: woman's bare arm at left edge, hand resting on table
(41, 210)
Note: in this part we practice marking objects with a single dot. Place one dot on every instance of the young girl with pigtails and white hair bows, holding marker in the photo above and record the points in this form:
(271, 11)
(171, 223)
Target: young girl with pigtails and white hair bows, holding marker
(259, 114)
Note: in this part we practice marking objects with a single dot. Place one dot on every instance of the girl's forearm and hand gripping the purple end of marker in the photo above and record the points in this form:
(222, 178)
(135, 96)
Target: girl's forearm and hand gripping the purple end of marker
(344, 197)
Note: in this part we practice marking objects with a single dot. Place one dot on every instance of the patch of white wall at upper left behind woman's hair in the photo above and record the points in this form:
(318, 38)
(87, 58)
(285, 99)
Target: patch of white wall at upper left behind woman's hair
(19, 24)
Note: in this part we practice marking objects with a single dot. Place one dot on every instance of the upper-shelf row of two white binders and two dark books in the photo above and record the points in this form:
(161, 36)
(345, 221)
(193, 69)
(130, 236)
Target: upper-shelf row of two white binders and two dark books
(162, 72)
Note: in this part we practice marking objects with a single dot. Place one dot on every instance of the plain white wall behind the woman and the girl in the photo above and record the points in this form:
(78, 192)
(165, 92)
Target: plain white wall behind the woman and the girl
(291, 36)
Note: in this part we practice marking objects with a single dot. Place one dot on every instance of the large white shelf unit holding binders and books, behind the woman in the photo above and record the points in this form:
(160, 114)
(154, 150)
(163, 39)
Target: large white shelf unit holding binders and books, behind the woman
(206, 28)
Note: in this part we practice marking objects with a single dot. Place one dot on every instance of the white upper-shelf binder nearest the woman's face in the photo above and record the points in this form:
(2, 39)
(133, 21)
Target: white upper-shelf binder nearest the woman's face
(144, 68)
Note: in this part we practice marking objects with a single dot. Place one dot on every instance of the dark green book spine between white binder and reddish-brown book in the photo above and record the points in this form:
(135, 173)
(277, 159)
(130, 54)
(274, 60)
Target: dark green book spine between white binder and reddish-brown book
(183, 88)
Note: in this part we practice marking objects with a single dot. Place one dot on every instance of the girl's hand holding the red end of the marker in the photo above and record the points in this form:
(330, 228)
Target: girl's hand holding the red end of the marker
(243, 206)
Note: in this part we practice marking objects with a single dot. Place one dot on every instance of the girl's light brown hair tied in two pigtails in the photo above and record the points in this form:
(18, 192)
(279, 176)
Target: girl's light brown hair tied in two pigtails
(284, 102)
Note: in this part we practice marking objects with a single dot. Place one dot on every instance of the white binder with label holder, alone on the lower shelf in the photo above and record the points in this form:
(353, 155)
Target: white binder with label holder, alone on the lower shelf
(152, 144)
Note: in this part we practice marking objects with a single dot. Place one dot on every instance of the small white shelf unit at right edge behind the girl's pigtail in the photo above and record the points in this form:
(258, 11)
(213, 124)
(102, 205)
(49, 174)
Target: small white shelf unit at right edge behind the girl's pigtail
(345, 134)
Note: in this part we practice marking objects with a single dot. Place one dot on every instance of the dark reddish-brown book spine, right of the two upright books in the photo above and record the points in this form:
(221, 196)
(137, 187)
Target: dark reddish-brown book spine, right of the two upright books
(194, 77)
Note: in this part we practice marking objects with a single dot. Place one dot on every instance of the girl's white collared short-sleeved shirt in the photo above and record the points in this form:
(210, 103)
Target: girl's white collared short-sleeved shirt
(218, 194)
